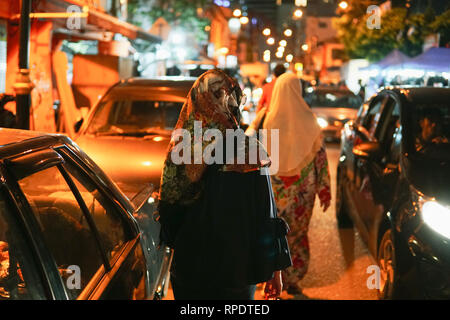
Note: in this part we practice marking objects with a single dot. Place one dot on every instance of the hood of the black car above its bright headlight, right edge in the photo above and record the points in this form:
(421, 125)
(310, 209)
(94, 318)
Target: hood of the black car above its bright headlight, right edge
(430, 177)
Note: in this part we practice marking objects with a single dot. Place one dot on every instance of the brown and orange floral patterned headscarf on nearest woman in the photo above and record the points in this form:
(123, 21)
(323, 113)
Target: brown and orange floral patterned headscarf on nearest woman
(214, 100)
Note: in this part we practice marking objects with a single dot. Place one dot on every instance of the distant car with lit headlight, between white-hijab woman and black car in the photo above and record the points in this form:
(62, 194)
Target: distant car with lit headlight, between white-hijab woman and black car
(333, 107)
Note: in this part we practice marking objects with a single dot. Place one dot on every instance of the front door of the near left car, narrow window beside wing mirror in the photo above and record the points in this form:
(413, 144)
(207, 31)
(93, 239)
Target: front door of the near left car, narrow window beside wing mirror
(120, 241)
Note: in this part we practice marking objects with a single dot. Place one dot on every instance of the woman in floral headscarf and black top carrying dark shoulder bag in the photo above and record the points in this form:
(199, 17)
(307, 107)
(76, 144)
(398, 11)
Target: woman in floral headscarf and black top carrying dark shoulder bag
(219, 218)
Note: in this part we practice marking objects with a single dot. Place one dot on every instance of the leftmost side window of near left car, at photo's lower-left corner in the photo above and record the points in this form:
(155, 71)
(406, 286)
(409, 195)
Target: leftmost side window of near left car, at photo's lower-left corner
(18, 273)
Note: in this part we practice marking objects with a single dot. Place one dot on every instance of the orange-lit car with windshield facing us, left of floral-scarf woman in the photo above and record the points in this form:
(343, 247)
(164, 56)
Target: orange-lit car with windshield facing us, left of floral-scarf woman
(127, 133)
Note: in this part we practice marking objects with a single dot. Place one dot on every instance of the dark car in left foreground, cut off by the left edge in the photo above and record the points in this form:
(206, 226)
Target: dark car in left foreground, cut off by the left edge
(67, 231)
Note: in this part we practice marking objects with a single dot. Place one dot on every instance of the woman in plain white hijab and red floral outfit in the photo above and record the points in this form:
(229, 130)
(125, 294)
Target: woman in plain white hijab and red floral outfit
(302, 171)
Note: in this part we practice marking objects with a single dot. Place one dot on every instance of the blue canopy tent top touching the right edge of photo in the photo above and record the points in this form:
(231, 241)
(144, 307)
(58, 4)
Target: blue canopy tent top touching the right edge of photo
(432, 60)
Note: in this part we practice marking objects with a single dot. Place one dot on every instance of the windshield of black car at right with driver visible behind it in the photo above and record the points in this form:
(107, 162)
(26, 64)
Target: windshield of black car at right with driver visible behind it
(431, 130)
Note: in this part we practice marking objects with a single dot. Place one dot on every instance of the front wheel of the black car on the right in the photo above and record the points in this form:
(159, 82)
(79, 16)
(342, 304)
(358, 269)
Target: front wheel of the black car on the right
(388, 267)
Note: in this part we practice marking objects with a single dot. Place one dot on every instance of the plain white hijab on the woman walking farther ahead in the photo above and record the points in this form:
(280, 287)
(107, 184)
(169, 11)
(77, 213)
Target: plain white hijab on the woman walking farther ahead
(299, 134)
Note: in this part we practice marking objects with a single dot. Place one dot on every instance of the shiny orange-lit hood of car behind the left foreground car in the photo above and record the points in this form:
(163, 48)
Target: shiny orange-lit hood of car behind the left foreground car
(130, 162)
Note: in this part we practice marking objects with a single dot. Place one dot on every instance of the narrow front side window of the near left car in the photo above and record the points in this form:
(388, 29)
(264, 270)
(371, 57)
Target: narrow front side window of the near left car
(106, 217)
